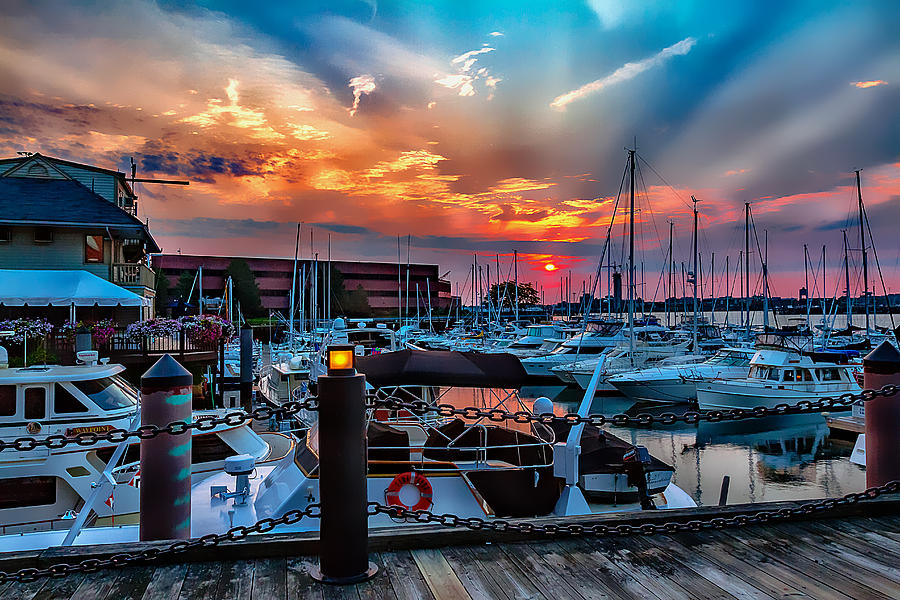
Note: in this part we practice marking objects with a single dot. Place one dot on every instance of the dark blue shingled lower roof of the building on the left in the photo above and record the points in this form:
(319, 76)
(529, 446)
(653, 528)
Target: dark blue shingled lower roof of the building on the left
(65, 203)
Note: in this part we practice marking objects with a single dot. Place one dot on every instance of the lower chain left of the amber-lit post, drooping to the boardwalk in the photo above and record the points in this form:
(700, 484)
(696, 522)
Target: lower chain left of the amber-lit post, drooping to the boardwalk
(91, 565)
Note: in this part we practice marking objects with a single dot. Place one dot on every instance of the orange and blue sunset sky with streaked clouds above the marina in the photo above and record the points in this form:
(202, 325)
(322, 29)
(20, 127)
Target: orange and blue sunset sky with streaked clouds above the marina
(475, 126)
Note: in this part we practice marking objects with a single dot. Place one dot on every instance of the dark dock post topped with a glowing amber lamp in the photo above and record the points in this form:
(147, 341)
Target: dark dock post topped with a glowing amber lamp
(344, 528)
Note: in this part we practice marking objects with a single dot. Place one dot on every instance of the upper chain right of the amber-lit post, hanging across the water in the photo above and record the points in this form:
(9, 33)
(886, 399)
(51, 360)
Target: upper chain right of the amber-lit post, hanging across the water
(499, 415)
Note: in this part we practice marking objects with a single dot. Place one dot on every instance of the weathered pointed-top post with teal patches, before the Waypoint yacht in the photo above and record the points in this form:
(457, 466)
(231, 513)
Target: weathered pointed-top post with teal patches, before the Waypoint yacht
(166, 391)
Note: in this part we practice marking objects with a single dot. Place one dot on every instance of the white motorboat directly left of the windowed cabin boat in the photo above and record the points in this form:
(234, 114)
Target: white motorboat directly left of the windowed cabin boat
(678, 383)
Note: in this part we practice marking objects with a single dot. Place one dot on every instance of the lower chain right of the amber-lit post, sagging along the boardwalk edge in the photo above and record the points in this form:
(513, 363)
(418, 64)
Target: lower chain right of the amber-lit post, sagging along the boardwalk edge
(603, 529)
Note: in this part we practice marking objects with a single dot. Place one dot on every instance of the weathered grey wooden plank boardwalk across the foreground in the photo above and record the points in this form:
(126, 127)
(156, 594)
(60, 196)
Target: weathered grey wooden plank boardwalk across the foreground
(850, 552)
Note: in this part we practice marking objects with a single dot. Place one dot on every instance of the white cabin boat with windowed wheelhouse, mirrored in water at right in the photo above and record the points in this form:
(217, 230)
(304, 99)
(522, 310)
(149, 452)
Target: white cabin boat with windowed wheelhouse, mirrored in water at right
(780, 377)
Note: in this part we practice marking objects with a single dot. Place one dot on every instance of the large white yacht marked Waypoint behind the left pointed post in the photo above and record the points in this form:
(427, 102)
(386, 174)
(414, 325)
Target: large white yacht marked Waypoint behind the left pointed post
(44, 489)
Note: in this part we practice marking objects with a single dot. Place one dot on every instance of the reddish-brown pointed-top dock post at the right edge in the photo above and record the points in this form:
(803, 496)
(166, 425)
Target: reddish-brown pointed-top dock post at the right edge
(882, 367)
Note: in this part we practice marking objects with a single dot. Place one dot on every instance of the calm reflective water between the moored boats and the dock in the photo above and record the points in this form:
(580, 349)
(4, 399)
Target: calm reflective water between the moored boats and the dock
(770, 459)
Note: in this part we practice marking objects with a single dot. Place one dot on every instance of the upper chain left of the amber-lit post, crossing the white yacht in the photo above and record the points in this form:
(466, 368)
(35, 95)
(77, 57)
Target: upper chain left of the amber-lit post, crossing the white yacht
(144, 432)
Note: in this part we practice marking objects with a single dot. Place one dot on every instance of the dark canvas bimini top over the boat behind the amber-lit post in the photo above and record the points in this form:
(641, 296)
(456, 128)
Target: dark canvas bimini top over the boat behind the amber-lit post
(442, 368)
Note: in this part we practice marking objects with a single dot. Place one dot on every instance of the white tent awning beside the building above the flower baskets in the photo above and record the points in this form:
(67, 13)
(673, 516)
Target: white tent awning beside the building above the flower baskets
(61, 288)
